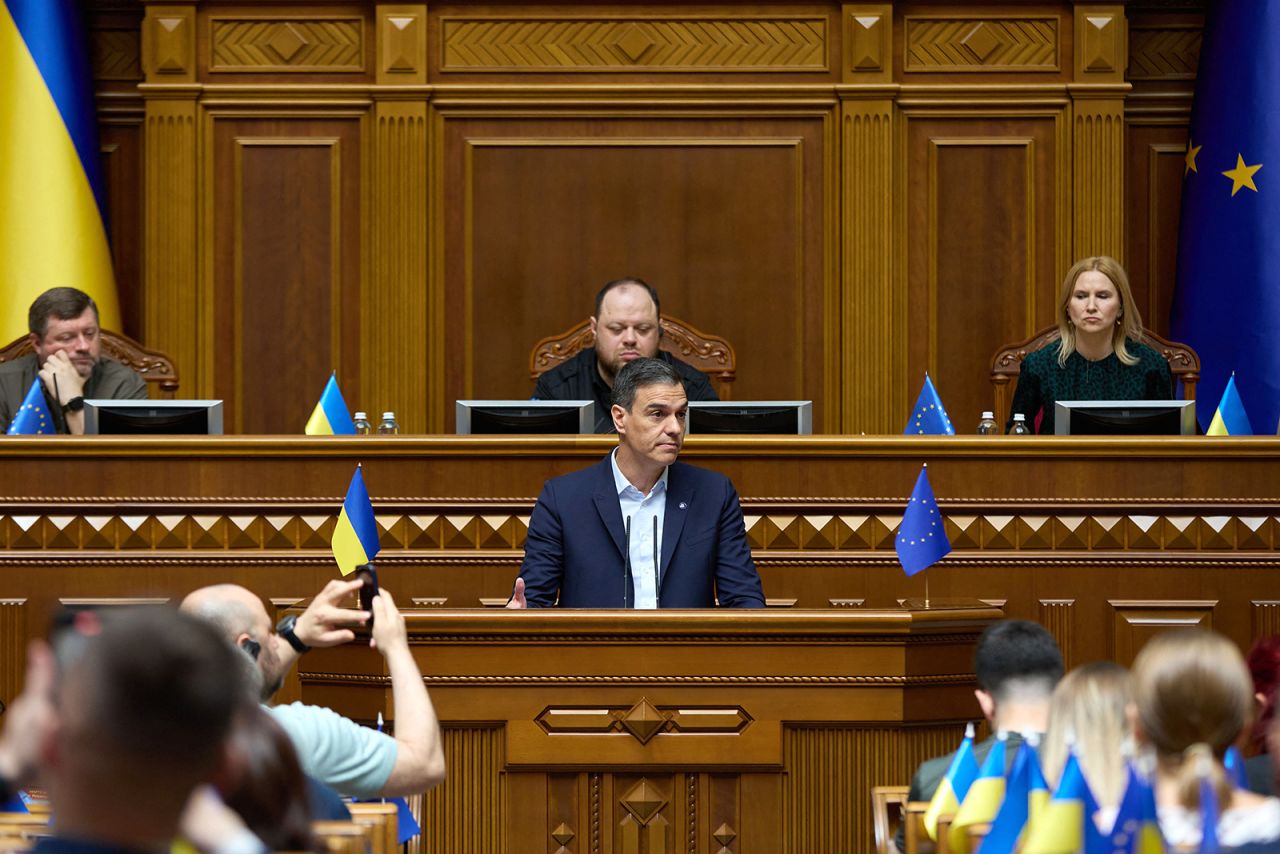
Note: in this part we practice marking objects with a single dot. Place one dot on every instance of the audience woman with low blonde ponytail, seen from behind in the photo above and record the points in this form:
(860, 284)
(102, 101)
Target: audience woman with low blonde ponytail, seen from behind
(1195, 700)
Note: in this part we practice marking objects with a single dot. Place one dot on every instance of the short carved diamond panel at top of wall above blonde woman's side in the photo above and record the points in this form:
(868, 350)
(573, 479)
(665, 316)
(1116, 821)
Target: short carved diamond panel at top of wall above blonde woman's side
(973, 44)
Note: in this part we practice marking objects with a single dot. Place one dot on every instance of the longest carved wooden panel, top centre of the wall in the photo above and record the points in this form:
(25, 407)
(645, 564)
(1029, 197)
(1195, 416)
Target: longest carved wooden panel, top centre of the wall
(739, 44)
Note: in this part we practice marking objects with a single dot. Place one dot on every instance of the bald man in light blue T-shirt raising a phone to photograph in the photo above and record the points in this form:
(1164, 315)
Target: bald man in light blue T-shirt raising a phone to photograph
(350, 759)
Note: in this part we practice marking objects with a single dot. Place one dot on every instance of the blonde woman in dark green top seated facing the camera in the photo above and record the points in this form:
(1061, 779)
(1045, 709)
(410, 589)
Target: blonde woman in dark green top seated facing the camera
(1099, 354)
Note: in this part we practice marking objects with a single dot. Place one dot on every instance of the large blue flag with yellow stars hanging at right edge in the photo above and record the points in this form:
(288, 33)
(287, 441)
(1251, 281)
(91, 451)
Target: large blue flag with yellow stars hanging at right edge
(1227, 304)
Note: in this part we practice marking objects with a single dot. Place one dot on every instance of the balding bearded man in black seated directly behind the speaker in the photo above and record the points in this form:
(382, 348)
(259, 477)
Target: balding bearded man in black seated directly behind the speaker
(627, 328)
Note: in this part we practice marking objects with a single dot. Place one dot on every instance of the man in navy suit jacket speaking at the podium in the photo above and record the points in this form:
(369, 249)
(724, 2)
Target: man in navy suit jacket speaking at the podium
(639, 529)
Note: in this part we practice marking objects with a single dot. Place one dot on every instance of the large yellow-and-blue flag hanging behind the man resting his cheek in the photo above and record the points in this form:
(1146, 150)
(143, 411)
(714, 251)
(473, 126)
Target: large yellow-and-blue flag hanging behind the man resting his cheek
(53, 208)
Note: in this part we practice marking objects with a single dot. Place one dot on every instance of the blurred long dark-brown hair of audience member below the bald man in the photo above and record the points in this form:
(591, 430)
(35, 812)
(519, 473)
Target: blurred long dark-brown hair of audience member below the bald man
(269, 792)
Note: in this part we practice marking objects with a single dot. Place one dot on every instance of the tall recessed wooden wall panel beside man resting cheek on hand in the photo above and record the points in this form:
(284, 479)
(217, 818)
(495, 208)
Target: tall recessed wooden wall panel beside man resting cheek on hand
(285, 205)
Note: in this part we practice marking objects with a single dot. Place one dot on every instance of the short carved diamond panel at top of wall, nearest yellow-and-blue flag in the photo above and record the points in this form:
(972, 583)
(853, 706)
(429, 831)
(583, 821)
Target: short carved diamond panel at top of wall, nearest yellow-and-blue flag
(310, 44)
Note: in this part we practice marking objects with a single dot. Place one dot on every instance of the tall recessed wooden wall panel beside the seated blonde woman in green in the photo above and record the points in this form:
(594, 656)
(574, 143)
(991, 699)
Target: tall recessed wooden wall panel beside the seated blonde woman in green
(981, 243)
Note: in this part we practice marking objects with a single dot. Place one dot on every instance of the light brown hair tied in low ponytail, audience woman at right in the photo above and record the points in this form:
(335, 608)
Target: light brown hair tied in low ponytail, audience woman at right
(1195, 698)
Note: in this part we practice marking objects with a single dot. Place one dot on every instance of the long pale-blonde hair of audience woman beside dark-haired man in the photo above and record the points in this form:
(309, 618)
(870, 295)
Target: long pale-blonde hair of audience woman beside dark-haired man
(1091, 709)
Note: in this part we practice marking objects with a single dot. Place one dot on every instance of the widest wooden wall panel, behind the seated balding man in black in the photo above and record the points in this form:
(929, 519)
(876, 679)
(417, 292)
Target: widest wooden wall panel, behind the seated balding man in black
(724, 213)
